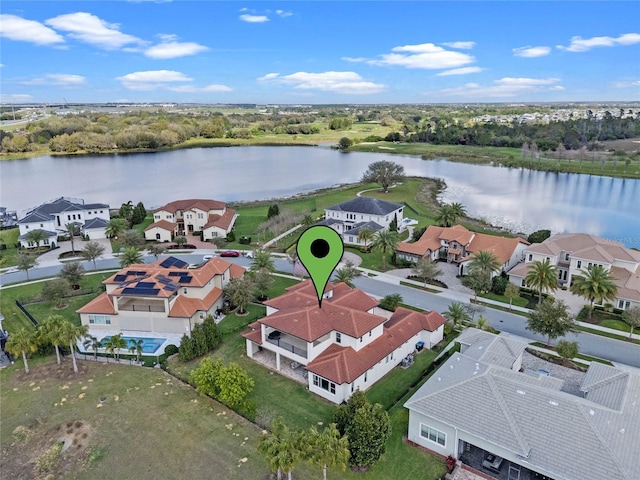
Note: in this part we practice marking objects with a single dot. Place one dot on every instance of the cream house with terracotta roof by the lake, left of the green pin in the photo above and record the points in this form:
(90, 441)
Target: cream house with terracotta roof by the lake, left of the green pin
(183, 217)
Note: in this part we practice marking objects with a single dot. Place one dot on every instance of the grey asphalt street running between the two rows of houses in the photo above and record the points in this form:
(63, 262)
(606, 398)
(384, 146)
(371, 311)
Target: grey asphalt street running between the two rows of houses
(595, 345)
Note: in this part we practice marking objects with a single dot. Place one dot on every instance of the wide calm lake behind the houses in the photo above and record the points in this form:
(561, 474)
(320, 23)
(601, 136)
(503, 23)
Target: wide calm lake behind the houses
(520, 200)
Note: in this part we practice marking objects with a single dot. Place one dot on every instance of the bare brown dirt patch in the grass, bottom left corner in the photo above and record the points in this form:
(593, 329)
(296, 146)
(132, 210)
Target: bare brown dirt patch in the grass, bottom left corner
(25, 458)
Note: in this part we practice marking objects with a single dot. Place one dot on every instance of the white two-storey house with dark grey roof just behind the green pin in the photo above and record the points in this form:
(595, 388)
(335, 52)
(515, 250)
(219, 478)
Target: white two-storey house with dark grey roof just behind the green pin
(348, 218)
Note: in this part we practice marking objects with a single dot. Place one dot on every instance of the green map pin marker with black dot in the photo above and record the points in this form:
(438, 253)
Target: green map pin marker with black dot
(320, 249)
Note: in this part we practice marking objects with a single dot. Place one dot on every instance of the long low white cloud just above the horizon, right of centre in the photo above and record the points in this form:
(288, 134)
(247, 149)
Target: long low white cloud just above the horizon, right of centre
(505, 87)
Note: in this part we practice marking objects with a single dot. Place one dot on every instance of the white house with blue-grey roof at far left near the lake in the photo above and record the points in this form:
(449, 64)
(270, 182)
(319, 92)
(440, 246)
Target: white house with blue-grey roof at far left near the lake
(53, 217)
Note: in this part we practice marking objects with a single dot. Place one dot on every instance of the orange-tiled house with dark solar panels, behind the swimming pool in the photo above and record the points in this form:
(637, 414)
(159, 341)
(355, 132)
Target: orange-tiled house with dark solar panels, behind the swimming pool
(161, 298)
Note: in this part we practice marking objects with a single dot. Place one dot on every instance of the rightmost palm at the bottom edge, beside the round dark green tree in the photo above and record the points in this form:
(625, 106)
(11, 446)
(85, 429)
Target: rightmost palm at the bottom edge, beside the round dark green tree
(327, 449)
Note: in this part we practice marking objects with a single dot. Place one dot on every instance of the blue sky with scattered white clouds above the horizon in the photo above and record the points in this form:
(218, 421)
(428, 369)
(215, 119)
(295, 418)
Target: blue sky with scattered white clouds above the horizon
(319, 52)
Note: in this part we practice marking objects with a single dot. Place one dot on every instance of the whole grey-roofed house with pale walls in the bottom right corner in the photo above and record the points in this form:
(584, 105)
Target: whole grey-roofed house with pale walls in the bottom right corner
(475, 399)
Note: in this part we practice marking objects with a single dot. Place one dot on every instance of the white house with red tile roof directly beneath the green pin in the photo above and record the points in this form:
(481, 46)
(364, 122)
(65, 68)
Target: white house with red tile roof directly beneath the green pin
(348, 344)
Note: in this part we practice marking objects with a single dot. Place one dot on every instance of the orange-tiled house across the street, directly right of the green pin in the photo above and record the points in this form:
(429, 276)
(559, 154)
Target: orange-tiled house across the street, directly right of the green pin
(459, 245)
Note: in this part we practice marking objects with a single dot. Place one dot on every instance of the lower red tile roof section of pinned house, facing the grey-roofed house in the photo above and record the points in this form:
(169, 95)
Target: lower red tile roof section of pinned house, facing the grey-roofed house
(344, 365)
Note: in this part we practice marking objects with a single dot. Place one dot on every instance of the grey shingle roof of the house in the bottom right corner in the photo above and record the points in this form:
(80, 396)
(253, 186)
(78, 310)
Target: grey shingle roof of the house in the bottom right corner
(567, 435)
